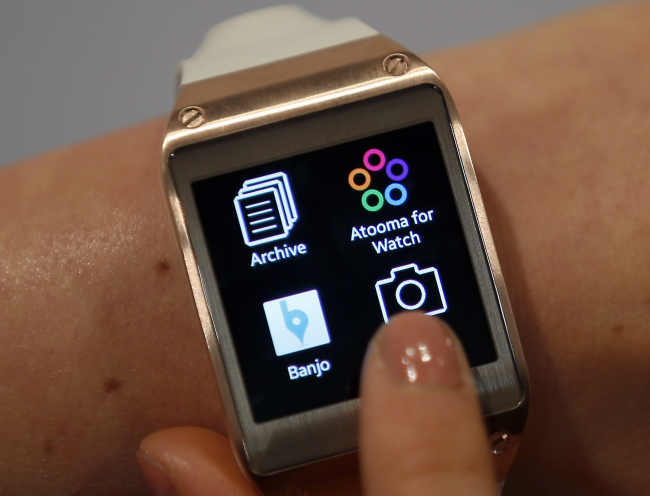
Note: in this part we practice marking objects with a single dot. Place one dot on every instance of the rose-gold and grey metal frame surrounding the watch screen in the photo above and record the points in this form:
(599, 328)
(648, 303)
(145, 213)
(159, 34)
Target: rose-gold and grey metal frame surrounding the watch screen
(236, 108)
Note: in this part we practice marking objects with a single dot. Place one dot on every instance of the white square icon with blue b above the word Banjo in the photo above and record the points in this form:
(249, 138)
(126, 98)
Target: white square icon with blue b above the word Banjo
(296, 322)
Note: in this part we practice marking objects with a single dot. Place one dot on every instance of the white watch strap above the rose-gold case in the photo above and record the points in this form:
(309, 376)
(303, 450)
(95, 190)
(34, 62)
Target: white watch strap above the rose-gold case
(264, 36)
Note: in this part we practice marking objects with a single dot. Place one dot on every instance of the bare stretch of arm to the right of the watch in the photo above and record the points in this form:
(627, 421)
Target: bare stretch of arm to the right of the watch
(557, 121)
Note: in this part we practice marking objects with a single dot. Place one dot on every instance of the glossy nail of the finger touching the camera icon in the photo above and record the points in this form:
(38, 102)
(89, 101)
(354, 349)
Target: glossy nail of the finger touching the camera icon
(419, 350)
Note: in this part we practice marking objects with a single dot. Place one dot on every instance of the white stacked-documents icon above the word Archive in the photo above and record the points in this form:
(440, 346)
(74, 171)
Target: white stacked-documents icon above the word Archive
(265, 209)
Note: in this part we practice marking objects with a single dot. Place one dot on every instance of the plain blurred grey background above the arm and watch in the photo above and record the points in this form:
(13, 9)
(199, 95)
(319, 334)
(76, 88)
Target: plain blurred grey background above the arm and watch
(72, 69)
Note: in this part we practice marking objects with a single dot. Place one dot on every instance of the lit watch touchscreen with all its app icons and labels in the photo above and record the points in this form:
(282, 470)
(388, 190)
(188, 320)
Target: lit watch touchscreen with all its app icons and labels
(313, 252)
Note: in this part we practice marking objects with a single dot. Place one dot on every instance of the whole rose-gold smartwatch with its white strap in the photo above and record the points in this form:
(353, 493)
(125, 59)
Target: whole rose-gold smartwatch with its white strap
(319, 181)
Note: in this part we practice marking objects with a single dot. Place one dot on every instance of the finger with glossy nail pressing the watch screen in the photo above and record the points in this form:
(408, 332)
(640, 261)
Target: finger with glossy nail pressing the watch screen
(421, 429)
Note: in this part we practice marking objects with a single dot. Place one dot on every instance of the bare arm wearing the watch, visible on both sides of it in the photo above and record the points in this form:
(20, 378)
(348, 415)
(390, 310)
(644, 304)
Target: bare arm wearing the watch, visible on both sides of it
(99, 340)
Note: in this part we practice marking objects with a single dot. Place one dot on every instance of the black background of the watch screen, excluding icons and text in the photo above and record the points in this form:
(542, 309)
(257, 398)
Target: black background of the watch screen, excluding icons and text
(344, 272)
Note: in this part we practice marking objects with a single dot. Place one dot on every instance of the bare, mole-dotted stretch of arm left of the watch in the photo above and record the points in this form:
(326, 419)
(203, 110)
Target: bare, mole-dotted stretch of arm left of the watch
(100, 343)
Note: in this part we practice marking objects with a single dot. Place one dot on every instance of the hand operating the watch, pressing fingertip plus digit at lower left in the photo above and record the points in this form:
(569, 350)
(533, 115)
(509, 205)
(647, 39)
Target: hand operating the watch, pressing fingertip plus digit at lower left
(421, 430)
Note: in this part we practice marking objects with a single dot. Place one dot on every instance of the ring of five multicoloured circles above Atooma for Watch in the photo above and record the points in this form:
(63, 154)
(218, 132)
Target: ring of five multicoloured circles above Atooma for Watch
(395, 193)
